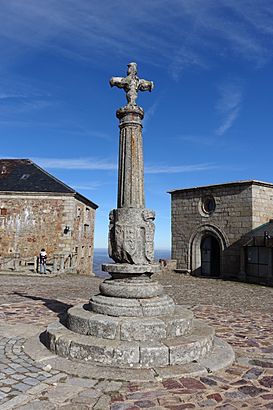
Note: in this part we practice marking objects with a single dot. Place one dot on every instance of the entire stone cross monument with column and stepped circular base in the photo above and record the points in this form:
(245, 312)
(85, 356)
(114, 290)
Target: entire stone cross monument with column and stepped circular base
(131, 323)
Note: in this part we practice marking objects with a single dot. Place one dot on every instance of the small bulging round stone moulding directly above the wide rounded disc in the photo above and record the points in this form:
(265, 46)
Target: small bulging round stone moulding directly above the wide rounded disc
(134, 288)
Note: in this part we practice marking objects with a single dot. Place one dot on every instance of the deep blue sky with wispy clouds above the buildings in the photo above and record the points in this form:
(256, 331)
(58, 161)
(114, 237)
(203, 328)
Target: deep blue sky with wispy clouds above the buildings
(208, 119)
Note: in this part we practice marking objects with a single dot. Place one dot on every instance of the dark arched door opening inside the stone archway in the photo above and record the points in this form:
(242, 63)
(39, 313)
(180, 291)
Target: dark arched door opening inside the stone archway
(210, 256)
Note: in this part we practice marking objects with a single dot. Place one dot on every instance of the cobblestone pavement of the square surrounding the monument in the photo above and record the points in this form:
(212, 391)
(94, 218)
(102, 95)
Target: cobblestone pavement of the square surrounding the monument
(242, 314)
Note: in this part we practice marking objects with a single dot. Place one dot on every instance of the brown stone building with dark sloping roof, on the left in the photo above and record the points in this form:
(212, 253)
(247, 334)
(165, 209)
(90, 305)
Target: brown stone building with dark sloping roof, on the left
(39, 211)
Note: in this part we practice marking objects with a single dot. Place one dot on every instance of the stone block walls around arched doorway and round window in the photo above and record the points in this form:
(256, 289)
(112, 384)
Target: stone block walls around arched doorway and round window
(240, 207)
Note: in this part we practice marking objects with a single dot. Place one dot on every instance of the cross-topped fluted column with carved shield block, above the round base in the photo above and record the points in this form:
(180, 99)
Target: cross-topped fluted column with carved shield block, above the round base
(131, 228)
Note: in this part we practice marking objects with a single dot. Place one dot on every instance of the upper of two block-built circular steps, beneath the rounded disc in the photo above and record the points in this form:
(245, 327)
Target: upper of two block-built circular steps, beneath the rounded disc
(84, 321)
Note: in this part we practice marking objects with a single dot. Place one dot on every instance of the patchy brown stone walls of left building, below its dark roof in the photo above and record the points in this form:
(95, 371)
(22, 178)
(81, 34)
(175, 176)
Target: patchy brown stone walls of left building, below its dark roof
(61, 224)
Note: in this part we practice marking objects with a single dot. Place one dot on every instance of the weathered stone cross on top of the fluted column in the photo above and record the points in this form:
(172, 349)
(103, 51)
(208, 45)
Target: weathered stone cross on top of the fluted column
(131, 84)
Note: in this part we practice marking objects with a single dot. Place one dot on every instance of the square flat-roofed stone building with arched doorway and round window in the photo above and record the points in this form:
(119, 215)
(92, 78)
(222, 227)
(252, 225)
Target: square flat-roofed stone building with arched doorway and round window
(213, 229)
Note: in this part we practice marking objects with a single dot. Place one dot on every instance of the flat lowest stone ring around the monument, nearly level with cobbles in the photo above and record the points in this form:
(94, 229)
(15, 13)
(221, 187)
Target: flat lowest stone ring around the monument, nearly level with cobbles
(220, 356)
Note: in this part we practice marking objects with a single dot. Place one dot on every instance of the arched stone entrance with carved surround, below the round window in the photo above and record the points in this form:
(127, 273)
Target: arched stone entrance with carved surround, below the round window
(218, 242)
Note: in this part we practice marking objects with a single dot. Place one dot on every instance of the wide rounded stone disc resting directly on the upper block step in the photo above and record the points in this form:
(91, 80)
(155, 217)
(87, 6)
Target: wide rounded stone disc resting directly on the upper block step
(114, 306)
